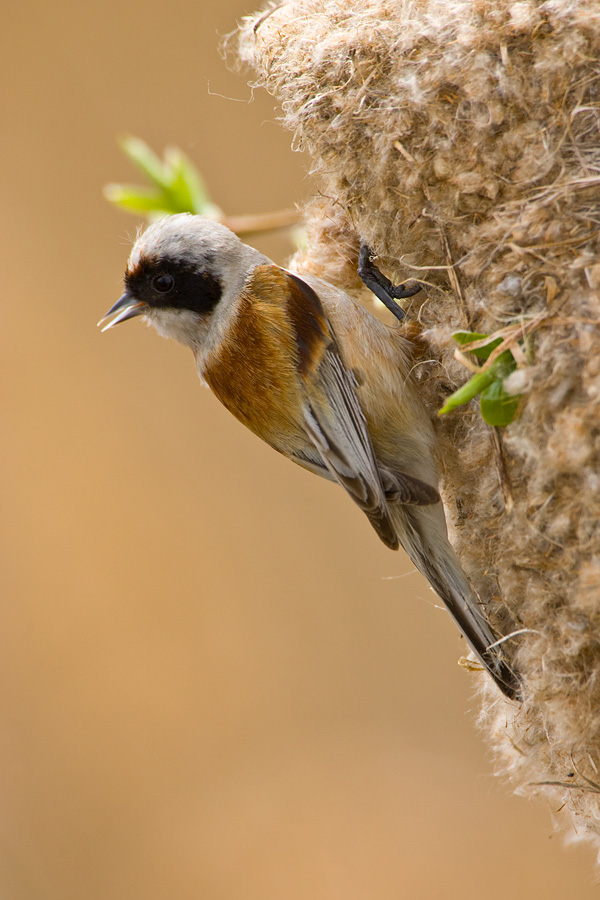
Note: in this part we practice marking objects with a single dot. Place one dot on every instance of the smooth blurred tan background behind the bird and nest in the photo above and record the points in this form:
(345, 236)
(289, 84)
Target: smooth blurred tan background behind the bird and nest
(215, 682)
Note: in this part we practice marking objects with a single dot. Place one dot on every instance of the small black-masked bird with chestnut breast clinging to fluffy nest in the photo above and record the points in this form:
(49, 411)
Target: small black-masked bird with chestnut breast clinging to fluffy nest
(320, 379)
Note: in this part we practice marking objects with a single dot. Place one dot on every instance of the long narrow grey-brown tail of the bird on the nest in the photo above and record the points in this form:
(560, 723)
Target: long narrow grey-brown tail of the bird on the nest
(421, 535)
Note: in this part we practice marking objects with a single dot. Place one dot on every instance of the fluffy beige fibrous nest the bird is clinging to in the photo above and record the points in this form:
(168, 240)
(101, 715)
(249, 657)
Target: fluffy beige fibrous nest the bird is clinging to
(460, 139)
